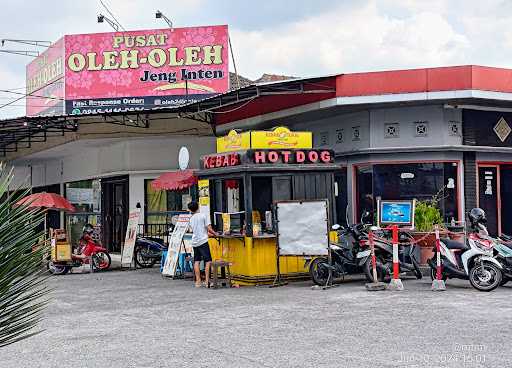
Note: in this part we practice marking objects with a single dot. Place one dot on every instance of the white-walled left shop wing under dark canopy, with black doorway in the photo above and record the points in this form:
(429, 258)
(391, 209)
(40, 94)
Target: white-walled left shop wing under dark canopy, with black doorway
(106, 169)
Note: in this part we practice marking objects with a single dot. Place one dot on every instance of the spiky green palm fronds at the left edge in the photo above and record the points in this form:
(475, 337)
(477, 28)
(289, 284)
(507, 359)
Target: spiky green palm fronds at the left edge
(23, 289)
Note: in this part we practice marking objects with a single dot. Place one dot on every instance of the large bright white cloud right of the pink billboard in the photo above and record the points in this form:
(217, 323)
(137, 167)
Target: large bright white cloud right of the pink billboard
(357, 39)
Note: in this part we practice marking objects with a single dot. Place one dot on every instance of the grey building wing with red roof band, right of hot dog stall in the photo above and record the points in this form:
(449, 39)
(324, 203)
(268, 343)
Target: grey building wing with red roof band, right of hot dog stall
(397, 134)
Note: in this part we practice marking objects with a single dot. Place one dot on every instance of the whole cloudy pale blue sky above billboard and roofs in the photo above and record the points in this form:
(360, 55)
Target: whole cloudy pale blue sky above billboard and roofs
(291, 37)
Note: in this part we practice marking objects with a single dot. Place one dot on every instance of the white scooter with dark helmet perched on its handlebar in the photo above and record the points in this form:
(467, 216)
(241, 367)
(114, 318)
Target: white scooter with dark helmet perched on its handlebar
(473, 260)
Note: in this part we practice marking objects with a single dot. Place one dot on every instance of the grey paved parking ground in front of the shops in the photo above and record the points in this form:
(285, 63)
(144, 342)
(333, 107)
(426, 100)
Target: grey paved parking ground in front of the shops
(137, 319)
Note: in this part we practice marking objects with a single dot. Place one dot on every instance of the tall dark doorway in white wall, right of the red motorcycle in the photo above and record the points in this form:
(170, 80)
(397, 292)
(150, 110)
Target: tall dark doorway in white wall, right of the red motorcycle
(115, 212)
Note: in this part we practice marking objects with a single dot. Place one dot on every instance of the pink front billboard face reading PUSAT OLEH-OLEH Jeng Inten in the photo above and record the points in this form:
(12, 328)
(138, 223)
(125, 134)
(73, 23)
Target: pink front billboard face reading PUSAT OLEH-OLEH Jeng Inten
(136, 70)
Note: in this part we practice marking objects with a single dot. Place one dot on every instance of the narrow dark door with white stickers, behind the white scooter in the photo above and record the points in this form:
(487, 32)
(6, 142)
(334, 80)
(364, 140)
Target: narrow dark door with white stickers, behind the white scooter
(488, 196)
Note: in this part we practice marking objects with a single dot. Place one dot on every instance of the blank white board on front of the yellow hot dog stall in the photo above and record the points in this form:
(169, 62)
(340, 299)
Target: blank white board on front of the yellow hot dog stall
(303, 227)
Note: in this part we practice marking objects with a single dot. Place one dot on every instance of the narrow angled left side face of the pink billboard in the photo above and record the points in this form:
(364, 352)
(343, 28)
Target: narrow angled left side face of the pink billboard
(45, 82)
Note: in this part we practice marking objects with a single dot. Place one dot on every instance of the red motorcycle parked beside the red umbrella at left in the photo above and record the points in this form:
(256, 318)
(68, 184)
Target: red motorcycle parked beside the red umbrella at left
(86, 249)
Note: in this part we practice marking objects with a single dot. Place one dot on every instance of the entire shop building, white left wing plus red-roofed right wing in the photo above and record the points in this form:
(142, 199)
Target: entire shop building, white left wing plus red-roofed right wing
(395, 135)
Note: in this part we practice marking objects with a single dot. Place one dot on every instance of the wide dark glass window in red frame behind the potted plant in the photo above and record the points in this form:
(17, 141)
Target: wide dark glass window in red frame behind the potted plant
(421, 181)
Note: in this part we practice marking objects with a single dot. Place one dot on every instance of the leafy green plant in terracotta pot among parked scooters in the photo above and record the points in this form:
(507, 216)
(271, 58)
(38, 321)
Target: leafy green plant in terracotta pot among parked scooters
(426, 216)
